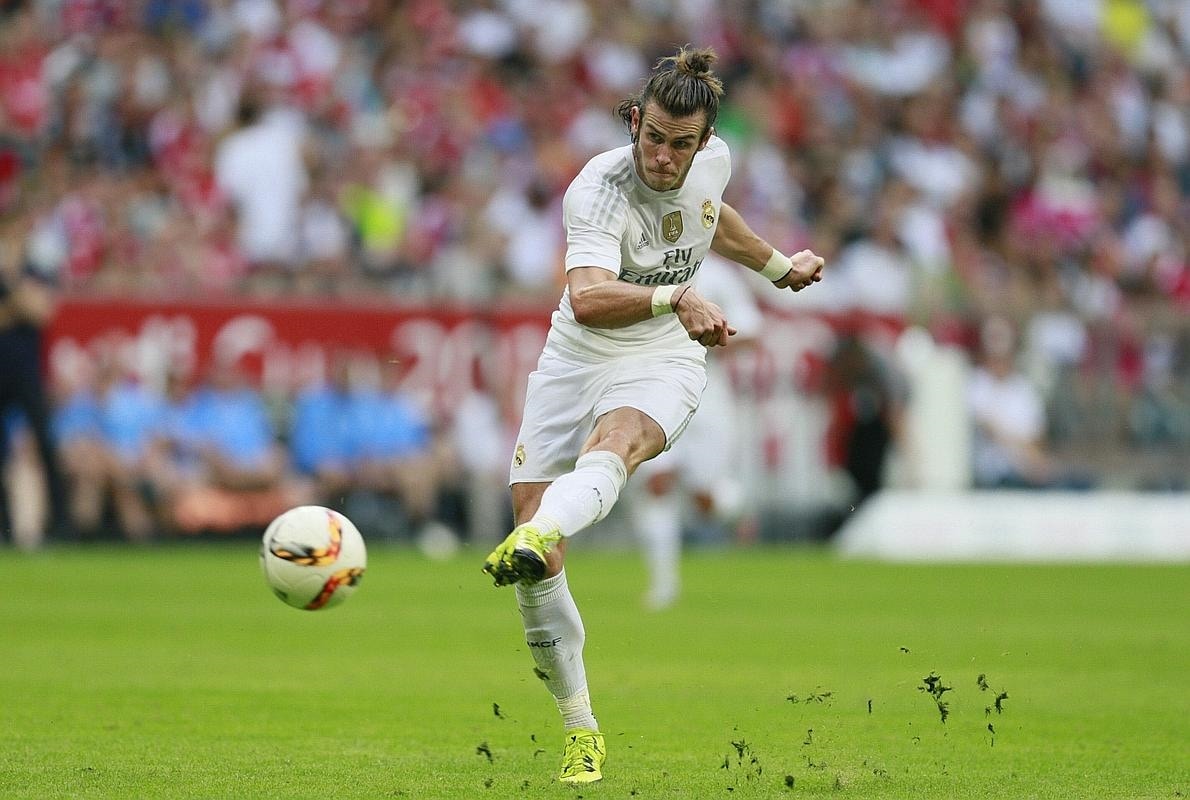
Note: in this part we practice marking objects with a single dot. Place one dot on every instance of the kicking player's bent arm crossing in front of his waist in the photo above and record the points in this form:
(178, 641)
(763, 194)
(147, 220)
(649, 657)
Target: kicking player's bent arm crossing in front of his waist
(600, 301)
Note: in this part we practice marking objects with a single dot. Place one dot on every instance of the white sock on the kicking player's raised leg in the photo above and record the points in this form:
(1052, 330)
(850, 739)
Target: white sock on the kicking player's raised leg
(584, 497)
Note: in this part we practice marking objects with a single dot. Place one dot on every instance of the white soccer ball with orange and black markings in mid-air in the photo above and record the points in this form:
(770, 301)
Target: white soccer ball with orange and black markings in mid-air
(314, 558)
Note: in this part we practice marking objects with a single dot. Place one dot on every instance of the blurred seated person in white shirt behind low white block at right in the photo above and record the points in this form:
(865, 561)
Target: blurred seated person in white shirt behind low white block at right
(1009, 414)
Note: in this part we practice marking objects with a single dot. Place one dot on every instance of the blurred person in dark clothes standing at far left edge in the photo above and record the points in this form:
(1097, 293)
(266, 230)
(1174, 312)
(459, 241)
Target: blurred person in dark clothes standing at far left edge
(27, 304)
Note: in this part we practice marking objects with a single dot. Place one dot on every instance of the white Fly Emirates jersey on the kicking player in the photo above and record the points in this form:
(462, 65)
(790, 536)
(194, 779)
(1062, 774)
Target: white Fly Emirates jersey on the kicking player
(652, 239)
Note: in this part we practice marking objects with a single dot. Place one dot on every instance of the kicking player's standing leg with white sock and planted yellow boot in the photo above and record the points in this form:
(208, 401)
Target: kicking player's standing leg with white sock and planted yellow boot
(555, 635)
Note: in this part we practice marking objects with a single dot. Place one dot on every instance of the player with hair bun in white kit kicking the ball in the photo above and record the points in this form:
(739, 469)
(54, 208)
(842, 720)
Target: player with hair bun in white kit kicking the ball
(624, 365)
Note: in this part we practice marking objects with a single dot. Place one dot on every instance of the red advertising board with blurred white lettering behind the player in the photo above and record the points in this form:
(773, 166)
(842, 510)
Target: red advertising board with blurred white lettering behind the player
(442, 353)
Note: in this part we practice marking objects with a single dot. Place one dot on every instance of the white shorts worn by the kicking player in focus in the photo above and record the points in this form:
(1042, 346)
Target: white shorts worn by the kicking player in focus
(567, 395)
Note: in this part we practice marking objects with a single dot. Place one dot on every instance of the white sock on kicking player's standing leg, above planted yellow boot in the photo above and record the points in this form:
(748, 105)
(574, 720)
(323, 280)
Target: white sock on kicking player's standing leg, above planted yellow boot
(555, 635)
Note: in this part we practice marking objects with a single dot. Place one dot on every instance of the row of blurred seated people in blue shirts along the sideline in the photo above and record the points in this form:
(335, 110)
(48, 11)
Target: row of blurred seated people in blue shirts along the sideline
(212, 457)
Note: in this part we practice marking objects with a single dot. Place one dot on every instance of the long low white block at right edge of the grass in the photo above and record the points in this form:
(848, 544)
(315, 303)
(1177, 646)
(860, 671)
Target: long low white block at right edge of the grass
(1020, 527)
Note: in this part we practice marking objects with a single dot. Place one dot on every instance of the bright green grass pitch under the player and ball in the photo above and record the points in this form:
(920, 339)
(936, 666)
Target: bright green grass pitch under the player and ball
(172, 672)
